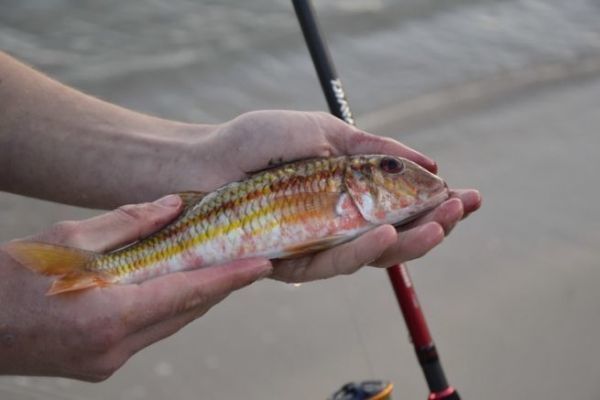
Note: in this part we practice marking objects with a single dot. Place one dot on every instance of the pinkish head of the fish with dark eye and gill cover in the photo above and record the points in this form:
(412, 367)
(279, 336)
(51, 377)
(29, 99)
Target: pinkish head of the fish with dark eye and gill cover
(392, 190)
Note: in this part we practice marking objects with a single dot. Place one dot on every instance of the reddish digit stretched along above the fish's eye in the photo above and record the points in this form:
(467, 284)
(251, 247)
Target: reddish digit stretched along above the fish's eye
(358, 142)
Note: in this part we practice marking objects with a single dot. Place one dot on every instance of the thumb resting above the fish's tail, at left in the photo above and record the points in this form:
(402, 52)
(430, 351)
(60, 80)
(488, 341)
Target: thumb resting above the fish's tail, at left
(116, 228)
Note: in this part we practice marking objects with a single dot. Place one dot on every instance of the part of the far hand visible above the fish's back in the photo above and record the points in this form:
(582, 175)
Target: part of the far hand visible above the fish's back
(256, 140)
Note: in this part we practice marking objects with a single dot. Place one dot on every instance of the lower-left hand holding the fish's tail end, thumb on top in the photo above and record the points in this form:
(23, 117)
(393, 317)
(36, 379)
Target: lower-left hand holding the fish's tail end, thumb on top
(90, 334)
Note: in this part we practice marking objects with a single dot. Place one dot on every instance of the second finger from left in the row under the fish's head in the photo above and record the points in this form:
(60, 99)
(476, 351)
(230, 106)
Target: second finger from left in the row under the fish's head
(411, 244)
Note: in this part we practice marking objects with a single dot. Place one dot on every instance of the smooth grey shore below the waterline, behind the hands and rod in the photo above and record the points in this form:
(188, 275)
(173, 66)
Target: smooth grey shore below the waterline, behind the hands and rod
(511, 296)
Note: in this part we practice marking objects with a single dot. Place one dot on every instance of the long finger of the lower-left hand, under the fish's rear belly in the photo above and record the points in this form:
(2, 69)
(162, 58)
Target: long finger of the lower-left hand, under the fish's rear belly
(170, 295)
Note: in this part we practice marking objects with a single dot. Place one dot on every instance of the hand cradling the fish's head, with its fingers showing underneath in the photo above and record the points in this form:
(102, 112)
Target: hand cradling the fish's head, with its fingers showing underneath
(254, 140)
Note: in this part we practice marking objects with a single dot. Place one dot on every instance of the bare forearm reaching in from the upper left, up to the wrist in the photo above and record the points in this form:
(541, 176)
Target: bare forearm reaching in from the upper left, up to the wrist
(62, 145)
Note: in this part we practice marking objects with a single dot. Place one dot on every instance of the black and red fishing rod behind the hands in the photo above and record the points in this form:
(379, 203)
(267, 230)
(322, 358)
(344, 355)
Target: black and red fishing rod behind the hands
(398, 274)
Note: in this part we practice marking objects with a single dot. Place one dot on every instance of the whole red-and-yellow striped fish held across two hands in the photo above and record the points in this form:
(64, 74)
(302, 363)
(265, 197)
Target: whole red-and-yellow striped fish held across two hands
(285, 211)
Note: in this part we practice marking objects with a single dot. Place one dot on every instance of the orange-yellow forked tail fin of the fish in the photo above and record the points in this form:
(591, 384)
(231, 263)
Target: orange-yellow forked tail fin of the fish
(66, 263)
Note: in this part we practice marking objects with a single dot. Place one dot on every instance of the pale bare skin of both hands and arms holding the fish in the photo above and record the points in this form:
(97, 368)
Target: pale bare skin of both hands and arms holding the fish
(105, 156)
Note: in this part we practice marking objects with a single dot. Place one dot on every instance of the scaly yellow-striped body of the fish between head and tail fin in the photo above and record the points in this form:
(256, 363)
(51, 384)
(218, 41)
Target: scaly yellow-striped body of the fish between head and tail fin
(273, 209)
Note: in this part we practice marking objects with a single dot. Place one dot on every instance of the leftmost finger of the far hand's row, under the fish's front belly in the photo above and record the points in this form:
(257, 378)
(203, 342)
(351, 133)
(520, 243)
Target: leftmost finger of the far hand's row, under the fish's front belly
(342, 259)
